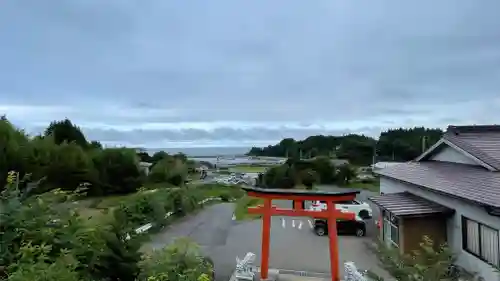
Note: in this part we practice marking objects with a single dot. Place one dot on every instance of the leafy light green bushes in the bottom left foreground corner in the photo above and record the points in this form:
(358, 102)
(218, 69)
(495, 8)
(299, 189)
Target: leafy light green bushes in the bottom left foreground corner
(44, 229)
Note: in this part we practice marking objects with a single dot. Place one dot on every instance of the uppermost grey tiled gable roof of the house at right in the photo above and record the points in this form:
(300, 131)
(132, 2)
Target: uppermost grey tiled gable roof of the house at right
(483, 142)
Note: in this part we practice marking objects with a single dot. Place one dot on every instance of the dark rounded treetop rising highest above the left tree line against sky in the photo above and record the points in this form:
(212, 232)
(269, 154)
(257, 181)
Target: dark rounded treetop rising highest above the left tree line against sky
(66, 131)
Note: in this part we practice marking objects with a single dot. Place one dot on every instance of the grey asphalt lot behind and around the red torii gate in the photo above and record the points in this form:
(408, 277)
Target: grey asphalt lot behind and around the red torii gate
(291, 247)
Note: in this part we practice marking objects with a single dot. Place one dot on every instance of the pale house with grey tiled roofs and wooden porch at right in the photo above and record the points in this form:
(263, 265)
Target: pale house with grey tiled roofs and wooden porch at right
(450, 193)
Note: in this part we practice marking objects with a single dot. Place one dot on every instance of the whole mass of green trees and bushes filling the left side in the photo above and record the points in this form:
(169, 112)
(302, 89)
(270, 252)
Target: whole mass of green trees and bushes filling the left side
(51, 230)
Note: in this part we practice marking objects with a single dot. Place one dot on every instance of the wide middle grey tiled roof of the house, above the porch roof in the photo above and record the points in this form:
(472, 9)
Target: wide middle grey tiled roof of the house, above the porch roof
(463, 181)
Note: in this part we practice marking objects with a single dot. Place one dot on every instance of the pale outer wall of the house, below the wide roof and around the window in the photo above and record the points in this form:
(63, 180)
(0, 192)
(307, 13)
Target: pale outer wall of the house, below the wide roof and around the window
(454, 228)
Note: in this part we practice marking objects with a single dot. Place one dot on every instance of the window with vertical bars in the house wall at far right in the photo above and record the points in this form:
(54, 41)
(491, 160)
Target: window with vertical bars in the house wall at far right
(481, 240)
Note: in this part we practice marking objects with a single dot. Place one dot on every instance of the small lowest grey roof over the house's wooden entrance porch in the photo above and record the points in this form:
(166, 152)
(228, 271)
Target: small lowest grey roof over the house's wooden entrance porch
(408, 204)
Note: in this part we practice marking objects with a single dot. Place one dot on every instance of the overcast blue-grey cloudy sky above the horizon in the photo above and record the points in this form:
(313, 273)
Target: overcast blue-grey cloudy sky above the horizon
(160, 73)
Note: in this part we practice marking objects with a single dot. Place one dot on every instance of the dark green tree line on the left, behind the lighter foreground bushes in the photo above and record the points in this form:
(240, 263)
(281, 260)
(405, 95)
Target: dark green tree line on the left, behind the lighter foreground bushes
(62, 157)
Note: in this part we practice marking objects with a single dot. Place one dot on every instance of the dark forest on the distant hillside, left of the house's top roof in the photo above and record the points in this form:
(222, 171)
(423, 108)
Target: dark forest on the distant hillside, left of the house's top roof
(392, 145)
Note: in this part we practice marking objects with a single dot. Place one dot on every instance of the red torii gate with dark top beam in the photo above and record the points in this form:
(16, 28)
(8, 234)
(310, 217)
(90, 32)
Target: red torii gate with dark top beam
(298, 197)
